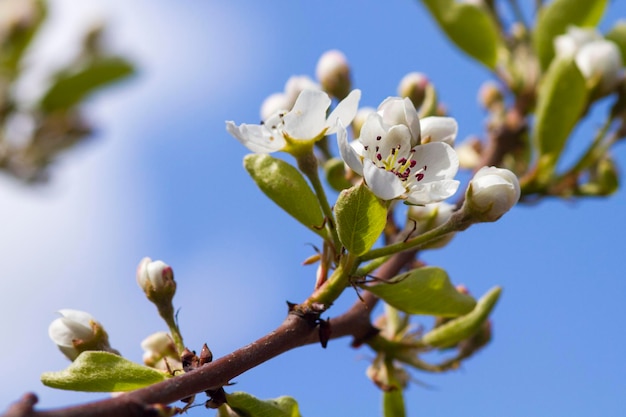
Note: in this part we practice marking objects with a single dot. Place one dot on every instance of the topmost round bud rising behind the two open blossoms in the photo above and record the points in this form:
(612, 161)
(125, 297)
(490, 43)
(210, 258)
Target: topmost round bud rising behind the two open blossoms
(333, 73)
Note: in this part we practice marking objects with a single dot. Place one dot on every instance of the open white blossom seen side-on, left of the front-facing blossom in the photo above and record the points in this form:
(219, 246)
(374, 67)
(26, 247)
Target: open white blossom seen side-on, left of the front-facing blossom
(303, 125)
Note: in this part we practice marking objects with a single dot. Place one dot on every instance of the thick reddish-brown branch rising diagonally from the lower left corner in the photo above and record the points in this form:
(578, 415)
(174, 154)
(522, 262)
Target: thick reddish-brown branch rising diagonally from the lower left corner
(294, 332)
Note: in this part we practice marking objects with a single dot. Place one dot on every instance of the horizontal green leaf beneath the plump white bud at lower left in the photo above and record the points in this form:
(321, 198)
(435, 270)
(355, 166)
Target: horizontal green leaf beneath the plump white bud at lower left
(96, 371)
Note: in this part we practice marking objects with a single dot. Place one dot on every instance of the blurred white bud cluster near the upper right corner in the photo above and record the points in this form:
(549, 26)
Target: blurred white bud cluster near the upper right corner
(598, 59)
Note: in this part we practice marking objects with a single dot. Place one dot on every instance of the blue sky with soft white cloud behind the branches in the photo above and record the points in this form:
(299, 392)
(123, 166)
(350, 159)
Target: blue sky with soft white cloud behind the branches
(163, 179)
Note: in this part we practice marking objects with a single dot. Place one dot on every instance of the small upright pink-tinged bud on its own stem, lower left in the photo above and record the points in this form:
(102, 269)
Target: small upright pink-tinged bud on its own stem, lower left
(156, 278)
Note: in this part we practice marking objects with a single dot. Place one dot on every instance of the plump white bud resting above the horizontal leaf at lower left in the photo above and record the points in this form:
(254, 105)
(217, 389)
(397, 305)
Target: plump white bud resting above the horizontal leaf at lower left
(76, 332)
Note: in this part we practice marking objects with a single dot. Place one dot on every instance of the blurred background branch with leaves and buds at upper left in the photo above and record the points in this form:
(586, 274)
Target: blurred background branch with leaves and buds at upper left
(32, 135)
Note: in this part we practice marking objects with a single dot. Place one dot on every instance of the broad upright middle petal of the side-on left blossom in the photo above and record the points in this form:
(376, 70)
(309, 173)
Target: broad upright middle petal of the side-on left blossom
(307, 119)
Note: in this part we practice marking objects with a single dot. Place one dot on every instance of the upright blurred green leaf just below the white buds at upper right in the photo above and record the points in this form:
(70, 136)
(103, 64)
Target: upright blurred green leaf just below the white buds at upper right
(562, 99)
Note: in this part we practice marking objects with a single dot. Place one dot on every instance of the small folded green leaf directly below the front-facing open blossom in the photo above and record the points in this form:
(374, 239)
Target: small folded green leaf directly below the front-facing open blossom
(361, 218)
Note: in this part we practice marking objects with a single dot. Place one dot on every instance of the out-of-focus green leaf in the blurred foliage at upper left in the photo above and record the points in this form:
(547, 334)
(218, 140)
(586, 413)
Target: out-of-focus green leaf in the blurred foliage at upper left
(71, 88)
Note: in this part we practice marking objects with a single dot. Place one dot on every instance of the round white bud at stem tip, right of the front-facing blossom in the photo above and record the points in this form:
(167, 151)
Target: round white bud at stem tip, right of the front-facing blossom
(491, 193)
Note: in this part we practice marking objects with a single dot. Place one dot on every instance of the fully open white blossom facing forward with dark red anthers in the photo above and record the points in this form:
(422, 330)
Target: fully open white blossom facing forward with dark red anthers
(392, 161)
